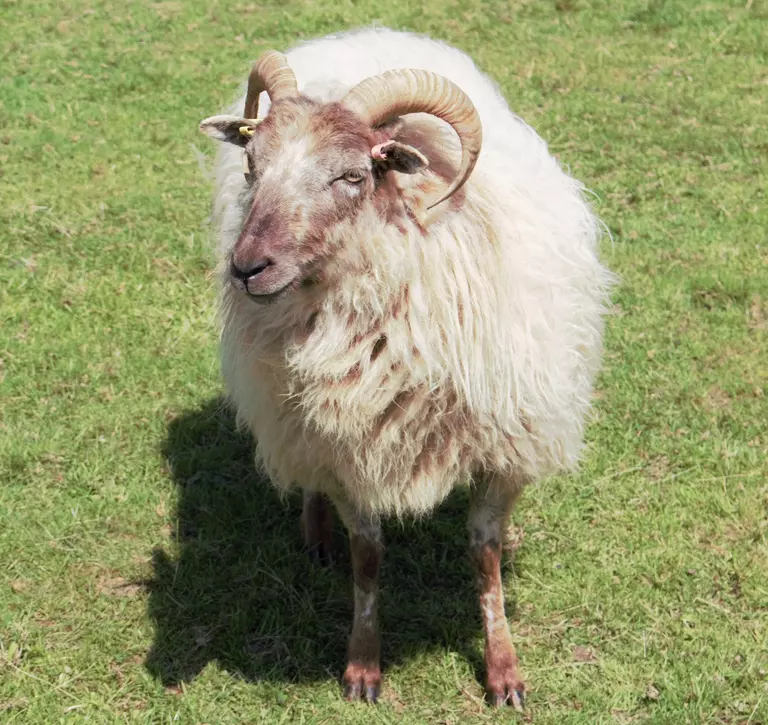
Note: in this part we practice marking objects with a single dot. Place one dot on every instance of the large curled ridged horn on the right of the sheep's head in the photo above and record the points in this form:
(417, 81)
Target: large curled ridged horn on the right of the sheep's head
(397, 92)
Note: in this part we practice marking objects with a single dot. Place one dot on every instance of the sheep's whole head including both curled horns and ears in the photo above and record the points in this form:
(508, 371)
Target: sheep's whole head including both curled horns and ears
(312, 167)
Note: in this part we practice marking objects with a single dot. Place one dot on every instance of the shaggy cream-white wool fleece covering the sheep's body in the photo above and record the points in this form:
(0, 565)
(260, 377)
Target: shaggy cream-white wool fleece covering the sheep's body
(462, 342)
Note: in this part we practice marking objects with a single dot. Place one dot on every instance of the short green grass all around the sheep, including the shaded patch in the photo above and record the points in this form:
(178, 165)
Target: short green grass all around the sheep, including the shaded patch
(149, 576)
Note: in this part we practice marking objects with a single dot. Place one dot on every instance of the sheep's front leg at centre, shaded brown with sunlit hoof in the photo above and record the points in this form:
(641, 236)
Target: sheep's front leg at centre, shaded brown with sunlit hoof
(362, 677)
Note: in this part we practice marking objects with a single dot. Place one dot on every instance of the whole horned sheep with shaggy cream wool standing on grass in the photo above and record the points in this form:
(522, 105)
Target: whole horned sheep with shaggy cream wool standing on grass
(410, 299)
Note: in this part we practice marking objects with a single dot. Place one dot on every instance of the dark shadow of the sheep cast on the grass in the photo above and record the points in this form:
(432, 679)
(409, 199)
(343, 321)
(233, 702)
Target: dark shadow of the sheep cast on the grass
(235, 585)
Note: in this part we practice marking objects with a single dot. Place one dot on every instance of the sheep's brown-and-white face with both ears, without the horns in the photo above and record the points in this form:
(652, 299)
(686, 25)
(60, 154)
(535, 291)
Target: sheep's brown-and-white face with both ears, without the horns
(310, 167)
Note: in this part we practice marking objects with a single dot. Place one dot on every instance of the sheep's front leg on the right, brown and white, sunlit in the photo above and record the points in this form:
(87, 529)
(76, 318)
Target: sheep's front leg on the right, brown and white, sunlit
(491, 506)
